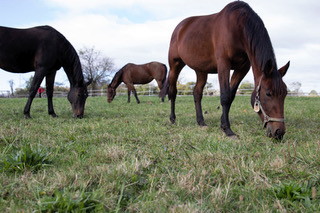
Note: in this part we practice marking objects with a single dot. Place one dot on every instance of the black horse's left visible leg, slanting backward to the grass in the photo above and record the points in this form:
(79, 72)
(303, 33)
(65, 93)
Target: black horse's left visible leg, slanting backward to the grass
(37, 79)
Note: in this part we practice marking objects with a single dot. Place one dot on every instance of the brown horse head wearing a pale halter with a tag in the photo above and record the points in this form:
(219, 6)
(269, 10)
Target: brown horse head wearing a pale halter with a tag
(268, 100)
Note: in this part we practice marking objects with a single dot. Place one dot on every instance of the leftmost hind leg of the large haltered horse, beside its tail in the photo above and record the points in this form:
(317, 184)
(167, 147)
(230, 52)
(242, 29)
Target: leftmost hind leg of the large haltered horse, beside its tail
(175, 69)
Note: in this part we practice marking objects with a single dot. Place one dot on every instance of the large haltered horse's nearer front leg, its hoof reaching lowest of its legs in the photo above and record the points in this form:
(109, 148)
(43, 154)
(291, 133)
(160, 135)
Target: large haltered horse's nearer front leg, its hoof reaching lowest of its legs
(225, 97)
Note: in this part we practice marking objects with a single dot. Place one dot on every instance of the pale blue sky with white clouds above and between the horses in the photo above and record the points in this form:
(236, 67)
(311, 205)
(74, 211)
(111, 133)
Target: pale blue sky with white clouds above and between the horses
(139, 31)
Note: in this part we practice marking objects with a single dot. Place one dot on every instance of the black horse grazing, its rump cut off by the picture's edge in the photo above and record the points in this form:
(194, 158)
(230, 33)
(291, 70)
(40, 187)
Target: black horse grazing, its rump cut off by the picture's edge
(43, 50)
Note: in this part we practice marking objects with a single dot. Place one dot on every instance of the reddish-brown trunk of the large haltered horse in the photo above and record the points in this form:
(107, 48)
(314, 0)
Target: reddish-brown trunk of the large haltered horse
(201, 41)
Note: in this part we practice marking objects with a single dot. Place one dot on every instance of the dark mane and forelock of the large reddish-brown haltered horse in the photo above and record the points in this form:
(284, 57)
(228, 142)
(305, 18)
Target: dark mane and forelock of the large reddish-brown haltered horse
(259, 42)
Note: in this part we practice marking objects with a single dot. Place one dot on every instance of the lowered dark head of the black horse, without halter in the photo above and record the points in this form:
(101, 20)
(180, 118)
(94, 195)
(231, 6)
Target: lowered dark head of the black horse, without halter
(77, 97)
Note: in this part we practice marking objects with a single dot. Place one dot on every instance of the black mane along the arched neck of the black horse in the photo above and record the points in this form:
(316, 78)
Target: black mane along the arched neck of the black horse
(70, 61)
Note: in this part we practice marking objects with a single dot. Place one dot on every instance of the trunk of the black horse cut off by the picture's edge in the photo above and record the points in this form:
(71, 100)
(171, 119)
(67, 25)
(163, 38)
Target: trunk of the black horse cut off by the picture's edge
(22, 50)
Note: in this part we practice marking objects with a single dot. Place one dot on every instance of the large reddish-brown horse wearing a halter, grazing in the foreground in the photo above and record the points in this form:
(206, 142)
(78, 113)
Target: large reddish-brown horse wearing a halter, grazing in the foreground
(233, 39)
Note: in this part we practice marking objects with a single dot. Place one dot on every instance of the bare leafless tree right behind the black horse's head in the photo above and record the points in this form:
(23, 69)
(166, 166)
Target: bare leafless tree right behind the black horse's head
(95, 66)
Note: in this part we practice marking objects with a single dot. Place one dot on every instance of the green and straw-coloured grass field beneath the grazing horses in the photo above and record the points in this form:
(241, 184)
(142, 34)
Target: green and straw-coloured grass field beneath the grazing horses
(125, 157)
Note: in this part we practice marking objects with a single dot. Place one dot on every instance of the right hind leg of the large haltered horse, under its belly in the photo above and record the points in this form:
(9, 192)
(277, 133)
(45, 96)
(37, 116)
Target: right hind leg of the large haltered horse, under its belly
(197, 95)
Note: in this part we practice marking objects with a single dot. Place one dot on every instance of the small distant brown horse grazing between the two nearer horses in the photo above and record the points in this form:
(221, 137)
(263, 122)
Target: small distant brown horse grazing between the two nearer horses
(132, 74)
